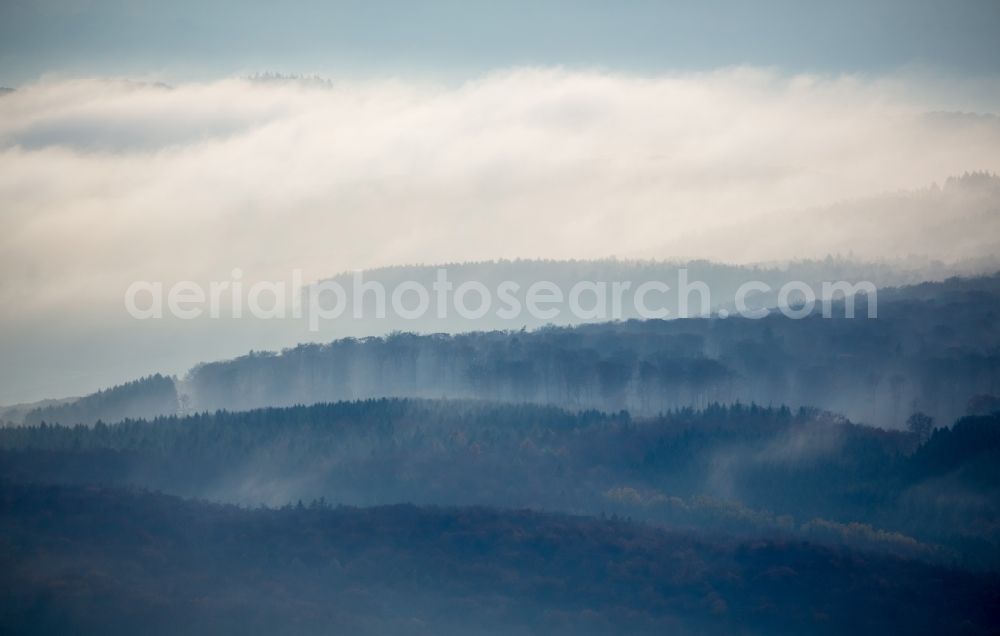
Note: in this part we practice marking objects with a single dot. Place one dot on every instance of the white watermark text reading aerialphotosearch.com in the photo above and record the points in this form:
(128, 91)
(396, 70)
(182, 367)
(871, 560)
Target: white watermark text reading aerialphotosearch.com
(443, 298)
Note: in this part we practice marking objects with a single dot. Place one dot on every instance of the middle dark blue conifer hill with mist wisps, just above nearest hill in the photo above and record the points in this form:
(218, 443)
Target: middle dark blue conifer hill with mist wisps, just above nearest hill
(746, 470)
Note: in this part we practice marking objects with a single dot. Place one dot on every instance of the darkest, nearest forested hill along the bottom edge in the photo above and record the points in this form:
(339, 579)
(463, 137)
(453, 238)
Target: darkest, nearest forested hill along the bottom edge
(99, 561)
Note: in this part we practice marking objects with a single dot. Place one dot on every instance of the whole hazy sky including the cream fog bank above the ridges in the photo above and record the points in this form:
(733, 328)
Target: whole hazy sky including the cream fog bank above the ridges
(136, 148)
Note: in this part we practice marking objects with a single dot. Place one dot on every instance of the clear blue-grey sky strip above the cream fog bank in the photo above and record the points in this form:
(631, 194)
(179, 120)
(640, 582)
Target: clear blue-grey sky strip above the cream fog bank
(185, 39)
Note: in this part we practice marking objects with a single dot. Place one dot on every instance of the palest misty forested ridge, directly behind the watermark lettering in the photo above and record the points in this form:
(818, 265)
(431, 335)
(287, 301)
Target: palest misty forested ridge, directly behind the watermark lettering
(722, 279)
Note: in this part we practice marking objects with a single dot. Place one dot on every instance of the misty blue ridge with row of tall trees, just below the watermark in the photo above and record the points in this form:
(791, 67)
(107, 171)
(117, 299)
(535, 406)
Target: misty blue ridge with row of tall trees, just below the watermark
(933, 348)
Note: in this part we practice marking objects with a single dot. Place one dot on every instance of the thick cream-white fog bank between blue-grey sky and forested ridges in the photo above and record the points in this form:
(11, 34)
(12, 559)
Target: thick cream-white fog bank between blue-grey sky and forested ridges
(105, 181)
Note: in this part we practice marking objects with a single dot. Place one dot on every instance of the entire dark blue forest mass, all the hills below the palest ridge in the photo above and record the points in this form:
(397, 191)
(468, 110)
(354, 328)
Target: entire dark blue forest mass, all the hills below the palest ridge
(731, 516)
